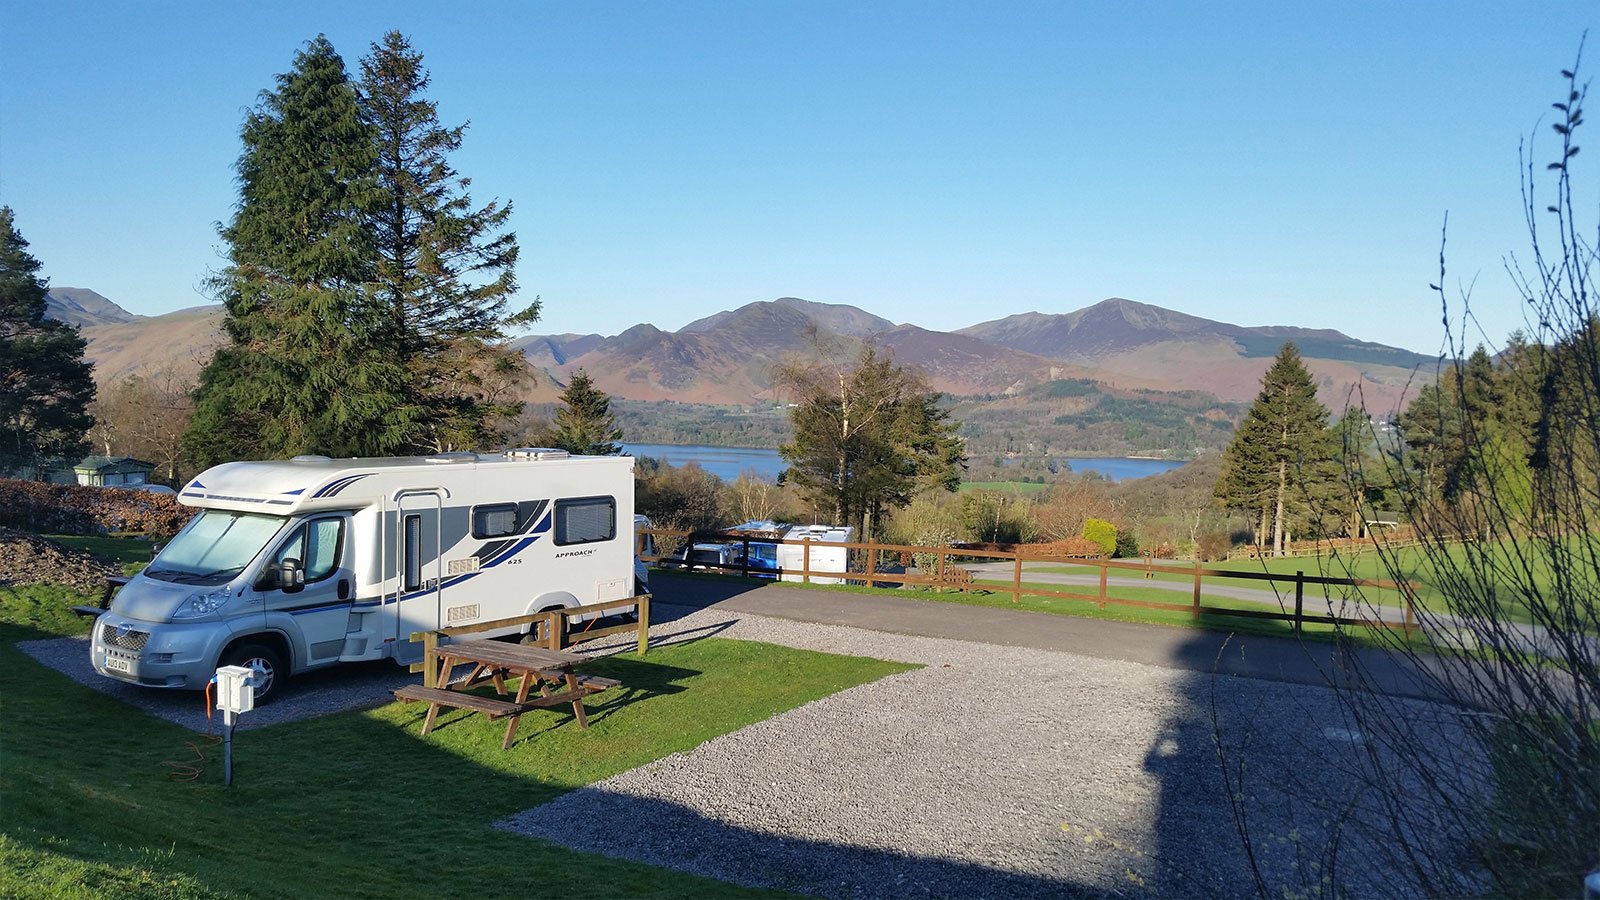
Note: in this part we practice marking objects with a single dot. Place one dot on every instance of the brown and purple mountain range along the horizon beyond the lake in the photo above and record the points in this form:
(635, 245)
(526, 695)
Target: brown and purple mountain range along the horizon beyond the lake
(727, 358)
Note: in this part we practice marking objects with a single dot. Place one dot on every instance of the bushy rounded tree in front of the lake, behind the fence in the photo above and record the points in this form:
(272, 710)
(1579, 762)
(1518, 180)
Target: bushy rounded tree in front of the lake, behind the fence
(870, 436)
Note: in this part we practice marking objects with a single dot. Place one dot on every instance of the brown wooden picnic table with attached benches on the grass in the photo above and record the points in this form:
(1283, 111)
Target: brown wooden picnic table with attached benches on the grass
(497, 662)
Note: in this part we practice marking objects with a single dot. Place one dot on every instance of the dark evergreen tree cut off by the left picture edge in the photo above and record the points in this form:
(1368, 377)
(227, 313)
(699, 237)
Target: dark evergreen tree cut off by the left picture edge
(46, 385)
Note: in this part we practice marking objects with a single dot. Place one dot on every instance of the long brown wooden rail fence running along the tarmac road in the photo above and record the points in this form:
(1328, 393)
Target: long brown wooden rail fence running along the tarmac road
(950, 574)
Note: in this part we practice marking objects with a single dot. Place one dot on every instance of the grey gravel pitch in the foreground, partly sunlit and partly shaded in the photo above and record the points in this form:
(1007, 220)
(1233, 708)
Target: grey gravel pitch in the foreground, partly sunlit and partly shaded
(990, 773)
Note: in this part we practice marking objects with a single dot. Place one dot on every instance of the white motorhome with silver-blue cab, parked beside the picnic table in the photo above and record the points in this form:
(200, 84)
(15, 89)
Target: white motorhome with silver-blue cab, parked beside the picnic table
(300, 565)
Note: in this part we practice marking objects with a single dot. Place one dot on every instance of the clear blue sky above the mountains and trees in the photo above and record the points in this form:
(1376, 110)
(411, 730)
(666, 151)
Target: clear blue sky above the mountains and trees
(942, 164)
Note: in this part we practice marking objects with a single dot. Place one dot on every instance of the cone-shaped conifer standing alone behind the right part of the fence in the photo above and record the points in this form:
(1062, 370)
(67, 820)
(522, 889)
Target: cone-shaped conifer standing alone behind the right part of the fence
(1282, 462)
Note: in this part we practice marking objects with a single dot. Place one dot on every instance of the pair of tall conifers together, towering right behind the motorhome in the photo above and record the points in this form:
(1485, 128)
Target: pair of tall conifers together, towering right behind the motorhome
(366, 294)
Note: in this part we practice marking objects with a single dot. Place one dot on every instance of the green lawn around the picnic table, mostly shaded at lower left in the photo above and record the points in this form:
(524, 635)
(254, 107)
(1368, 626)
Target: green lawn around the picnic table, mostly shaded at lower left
(354, 805)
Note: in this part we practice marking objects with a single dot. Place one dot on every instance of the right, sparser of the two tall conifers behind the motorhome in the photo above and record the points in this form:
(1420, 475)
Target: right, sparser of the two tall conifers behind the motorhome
(446, 270)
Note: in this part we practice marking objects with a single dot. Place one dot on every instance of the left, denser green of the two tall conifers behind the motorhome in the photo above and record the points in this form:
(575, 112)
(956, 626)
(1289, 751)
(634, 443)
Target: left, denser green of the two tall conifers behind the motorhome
(306, 368)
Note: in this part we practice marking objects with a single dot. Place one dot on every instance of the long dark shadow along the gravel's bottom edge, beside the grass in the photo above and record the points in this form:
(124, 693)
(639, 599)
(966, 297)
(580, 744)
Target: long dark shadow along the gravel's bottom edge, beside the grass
(674, 837)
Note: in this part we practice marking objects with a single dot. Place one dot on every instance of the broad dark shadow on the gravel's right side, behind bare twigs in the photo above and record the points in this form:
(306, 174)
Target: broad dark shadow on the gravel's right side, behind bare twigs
(1263, 784)
